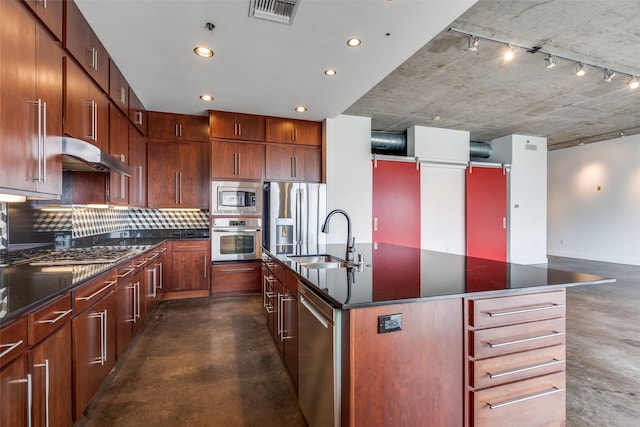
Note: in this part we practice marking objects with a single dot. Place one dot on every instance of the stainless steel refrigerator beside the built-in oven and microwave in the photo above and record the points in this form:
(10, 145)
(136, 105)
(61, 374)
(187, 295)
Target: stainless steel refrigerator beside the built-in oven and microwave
(293, 216)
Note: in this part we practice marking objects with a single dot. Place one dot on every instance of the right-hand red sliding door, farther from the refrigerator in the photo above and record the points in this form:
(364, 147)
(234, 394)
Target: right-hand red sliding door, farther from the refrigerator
(486, 213)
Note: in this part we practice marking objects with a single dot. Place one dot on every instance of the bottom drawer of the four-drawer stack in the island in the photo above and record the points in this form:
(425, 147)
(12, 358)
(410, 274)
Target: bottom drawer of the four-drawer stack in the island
(536, 402)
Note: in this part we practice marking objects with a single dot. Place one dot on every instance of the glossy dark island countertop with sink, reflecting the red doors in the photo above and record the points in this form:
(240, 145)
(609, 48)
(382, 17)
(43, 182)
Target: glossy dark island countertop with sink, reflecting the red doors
(395, 274)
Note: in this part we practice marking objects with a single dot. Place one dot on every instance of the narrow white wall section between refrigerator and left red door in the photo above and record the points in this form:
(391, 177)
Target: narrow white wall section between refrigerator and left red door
(348, 176)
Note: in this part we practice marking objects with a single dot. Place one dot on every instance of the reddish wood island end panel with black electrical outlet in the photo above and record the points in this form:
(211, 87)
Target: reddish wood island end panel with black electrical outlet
(413, 376)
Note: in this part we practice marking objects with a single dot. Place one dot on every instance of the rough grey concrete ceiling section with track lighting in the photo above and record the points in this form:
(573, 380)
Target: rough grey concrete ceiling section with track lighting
(446, 85)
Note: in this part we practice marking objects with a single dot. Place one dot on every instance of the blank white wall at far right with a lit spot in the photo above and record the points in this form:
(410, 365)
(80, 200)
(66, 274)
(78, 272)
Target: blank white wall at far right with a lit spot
(594, 201)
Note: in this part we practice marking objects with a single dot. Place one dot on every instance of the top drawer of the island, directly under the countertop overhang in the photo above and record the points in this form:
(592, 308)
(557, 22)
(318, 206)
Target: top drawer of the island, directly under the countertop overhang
(516, 309)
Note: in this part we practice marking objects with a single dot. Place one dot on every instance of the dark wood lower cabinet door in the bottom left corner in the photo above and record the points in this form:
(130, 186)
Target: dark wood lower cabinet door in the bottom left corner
(14, 388)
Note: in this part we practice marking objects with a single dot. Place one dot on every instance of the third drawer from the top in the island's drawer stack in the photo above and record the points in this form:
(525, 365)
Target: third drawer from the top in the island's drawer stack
(514, 367)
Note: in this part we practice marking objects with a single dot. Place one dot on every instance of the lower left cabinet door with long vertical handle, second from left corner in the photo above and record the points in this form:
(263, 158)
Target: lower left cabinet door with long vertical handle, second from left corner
(50, 364)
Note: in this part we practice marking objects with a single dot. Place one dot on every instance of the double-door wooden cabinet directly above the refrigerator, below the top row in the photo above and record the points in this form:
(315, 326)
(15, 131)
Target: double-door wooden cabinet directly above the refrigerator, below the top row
(290, 163)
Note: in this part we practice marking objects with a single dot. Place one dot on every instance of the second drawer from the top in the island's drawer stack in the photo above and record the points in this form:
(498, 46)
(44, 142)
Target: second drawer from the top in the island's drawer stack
(511, 339)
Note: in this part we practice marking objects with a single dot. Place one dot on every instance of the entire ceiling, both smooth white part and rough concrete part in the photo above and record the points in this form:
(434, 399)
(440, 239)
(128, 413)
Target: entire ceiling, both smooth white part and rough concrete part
(409, 70)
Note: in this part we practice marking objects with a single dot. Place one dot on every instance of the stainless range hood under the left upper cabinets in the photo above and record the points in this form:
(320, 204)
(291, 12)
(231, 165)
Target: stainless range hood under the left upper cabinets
(79, 155)
